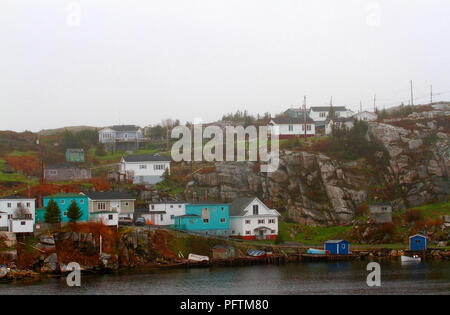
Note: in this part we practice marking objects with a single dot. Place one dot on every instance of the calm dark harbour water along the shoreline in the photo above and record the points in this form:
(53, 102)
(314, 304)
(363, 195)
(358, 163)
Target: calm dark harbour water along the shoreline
(302, 278)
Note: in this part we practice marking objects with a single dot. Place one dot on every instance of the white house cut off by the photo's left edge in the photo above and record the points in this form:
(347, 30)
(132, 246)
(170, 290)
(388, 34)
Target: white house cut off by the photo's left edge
(17, 214)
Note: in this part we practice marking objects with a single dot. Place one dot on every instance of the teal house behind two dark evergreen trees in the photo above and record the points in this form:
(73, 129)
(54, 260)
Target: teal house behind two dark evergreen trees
(64, 200)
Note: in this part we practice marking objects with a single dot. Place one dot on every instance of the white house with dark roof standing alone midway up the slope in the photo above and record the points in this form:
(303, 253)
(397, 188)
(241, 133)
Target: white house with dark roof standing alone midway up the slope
(145, 168)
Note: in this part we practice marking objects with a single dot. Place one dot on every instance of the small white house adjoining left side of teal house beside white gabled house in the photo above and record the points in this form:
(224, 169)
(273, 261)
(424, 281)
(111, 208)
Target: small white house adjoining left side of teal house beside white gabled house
(164, 213)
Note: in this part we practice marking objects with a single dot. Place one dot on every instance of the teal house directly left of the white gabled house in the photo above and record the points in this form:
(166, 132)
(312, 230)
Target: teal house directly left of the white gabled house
(205, 218)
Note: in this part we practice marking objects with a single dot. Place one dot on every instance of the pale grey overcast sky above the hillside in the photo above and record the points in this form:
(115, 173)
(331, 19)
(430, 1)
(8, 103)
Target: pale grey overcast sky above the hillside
(100, 63)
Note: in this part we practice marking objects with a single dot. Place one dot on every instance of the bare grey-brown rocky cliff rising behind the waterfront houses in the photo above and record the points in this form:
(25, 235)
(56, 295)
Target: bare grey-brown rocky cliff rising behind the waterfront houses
(314, 189)
